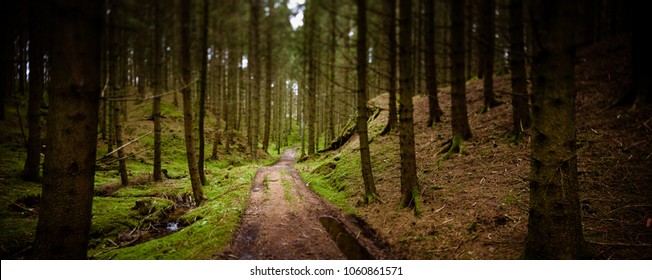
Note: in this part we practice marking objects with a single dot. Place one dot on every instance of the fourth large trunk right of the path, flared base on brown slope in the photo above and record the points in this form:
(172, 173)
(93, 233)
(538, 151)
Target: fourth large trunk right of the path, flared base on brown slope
(434, 111)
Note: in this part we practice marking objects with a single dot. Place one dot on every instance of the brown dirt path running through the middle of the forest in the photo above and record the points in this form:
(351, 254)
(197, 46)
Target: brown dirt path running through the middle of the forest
(282, 220)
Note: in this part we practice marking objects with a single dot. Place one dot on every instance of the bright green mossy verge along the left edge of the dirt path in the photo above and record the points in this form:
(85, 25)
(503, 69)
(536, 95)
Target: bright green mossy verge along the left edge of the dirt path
(212, 225)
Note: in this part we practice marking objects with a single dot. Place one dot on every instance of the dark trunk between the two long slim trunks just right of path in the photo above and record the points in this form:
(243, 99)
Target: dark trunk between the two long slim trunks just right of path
(392, 122)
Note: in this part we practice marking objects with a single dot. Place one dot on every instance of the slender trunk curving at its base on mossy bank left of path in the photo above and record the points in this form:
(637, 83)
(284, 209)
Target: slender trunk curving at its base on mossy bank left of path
(186, 72)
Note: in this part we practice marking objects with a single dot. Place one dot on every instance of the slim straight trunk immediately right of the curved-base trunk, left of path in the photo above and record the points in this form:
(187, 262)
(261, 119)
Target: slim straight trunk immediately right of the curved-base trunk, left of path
(202, 94)
